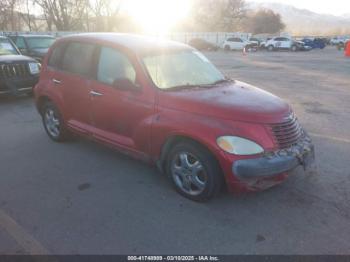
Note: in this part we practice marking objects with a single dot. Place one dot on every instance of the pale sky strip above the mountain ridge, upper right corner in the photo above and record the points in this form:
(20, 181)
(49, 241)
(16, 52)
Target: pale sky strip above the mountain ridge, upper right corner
(333, 7)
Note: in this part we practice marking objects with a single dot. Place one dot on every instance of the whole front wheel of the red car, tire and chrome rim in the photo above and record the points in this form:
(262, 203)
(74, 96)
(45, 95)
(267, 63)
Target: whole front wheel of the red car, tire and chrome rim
(193, 171)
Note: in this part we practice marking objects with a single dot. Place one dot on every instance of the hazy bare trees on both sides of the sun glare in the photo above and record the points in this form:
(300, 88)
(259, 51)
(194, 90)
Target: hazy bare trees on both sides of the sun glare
(107, 15)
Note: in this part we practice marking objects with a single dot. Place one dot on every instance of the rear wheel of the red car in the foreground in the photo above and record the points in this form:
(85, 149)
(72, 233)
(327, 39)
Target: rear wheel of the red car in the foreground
(54, 124)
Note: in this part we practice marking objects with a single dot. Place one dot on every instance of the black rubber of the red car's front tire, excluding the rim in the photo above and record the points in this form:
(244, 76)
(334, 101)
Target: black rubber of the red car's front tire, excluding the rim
(212, 169)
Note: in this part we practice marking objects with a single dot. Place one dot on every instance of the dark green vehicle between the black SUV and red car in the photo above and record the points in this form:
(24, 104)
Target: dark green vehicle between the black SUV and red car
(35, 46)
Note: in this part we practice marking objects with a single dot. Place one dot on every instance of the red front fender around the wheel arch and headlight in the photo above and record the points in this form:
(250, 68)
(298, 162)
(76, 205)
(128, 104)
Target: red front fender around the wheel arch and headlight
(205, 130)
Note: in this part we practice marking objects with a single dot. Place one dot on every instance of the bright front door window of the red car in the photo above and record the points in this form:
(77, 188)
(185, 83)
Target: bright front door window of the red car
(114, 65)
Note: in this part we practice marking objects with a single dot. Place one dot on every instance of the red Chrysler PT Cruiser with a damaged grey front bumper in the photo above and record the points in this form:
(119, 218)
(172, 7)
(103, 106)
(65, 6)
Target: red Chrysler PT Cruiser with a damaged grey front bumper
(165, 103)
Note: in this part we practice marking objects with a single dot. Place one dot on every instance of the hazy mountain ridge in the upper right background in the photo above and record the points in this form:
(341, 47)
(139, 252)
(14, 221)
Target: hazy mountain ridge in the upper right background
(305, 22)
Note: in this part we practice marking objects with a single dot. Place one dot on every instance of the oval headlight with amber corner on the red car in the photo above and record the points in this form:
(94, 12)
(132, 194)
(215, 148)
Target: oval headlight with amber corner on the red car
(239, 146)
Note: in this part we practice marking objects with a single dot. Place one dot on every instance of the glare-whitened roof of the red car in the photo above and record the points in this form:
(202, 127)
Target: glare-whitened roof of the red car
(136, 43)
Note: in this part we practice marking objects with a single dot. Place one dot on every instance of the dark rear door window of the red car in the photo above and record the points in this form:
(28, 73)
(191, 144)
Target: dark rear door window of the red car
(78, 58)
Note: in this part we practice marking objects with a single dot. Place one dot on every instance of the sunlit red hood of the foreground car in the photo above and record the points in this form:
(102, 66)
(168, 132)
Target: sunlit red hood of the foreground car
(236, 101)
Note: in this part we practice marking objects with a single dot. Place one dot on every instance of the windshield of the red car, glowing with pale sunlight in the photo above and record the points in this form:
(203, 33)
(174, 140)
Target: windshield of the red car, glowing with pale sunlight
(181, 69)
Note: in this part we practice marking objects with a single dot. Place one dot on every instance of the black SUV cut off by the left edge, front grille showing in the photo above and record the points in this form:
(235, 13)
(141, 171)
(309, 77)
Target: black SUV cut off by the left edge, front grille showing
(18, 73)
